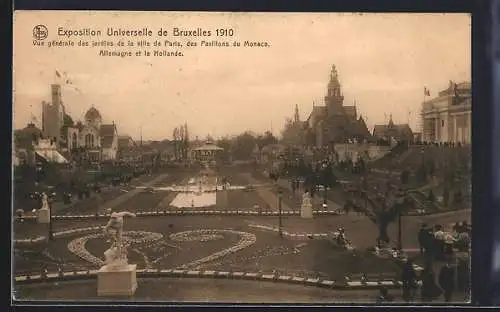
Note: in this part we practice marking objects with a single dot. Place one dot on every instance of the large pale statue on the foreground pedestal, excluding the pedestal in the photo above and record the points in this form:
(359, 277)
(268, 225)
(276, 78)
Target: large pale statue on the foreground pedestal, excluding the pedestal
(116, 255)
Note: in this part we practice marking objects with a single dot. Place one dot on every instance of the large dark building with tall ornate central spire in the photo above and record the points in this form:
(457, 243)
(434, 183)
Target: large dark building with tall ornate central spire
(334, 122)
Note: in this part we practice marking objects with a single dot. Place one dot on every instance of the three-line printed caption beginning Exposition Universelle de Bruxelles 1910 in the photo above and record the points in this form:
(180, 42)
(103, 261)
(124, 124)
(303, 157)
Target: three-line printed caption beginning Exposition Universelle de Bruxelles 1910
(162, 42)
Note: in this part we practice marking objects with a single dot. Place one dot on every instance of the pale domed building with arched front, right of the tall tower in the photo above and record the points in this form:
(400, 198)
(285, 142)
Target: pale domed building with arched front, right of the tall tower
(97, 141)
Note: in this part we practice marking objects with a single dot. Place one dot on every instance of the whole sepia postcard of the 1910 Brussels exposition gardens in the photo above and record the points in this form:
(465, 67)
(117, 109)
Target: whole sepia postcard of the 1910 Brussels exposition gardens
(241, 157)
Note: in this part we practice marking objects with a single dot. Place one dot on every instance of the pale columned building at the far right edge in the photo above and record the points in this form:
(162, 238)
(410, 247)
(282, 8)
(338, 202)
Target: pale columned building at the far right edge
(447, 117)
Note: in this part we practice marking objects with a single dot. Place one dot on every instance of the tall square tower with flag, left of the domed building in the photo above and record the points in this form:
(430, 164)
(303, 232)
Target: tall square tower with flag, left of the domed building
(53, 115)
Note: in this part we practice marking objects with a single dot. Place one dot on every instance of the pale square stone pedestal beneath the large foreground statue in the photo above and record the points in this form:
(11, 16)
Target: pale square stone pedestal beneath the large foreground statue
(117, 281)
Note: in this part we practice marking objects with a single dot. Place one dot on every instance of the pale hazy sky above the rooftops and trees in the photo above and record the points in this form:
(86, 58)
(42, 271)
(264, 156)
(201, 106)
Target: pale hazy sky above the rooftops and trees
(384, 61)
